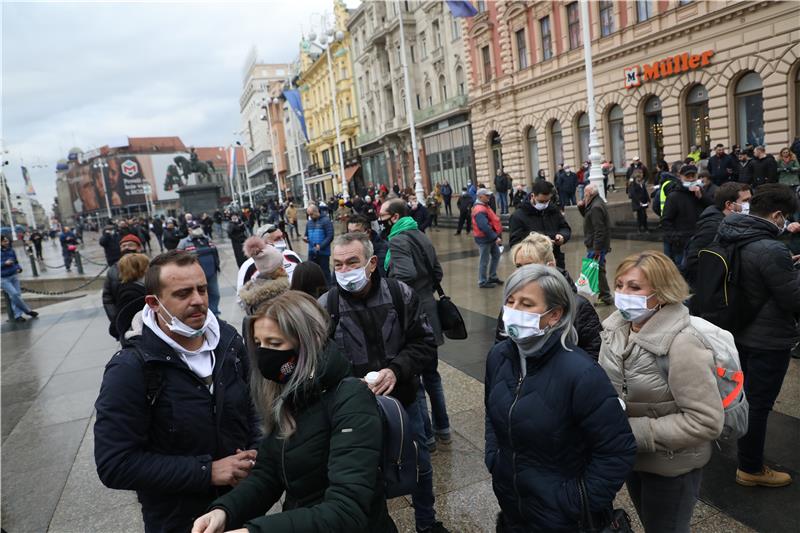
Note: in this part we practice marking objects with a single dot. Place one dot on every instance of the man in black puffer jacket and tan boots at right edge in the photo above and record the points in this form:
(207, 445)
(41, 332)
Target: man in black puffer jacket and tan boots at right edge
(771, 285)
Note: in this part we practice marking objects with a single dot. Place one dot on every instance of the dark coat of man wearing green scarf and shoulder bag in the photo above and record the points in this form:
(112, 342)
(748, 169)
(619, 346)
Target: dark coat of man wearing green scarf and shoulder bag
(409, 265)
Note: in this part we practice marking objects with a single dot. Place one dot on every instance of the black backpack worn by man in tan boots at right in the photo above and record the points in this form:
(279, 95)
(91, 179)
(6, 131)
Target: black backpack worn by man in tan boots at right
(719, 296)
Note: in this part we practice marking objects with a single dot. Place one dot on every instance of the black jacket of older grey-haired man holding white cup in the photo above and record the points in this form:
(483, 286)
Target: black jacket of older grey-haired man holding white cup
(373, 336)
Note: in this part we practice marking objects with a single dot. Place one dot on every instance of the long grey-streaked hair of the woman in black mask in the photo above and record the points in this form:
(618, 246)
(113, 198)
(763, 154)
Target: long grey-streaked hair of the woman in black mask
(301, 319)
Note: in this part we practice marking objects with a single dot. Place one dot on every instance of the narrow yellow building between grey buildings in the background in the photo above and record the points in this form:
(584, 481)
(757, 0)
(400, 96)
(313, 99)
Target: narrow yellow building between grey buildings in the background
(324, 176)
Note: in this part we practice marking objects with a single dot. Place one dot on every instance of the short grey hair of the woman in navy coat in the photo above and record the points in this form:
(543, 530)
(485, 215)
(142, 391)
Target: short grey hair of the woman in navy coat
(557, 293)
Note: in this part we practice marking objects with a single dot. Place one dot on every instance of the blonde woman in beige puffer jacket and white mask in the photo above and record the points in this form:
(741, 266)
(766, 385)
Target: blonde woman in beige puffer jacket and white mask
(674, 420)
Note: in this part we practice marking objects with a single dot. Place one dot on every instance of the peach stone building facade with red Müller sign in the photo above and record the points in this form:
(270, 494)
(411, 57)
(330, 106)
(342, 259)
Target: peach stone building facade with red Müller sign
(668, 74)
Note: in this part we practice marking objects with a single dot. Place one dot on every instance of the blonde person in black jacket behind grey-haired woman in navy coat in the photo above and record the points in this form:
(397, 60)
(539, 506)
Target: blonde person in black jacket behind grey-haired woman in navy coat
(537, 248)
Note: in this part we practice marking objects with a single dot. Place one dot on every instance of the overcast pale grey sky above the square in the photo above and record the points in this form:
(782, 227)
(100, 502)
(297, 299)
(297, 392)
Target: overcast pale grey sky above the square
(84, 74)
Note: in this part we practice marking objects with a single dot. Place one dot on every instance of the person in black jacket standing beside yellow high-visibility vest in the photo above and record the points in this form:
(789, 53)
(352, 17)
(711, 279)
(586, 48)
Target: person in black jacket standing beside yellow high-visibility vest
(682, 210)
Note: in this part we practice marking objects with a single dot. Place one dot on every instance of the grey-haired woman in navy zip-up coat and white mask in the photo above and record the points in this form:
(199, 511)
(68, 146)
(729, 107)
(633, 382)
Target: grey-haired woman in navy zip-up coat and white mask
(553, 419)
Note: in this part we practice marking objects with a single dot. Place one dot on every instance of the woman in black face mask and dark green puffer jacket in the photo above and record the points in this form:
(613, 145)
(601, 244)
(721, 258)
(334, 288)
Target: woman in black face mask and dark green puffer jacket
(323, 438)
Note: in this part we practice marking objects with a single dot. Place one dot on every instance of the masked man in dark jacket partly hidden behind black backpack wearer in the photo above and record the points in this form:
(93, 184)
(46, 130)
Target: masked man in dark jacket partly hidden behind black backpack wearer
(731, 197)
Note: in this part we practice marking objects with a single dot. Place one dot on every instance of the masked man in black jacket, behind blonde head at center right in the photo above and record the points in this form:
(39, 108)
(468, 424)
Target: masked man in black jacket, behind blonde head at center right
(541, 215)
